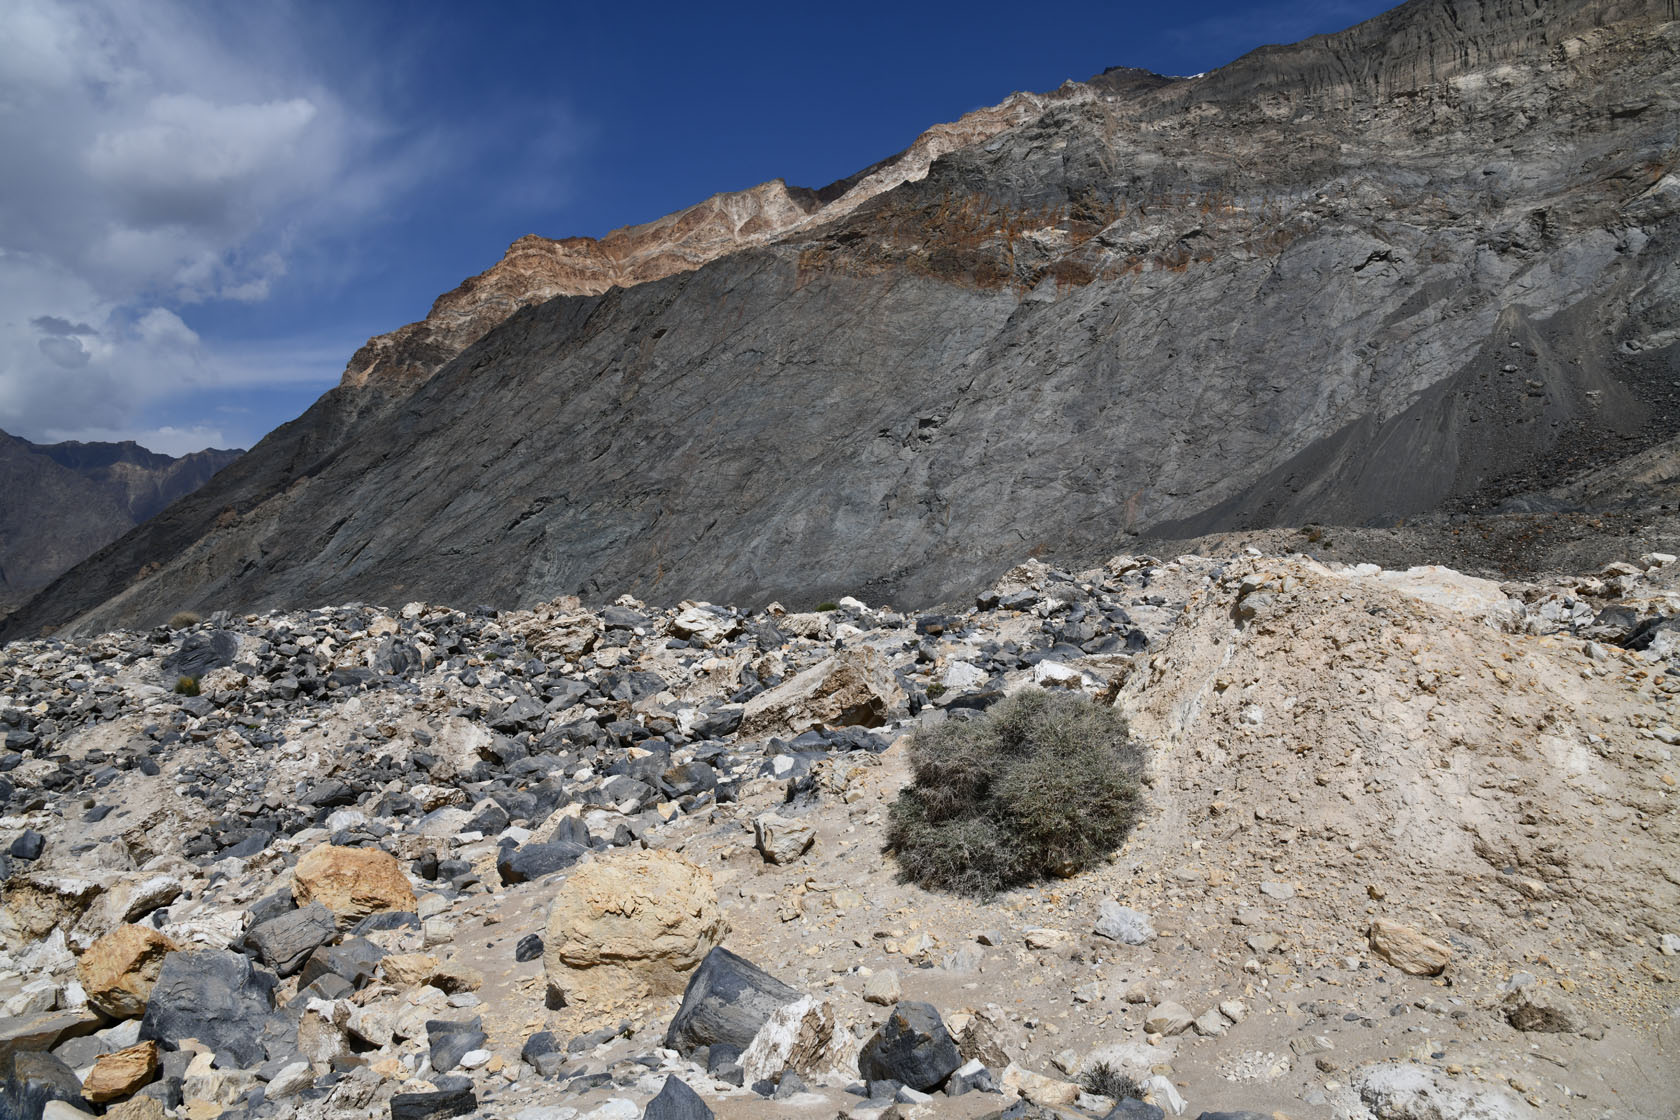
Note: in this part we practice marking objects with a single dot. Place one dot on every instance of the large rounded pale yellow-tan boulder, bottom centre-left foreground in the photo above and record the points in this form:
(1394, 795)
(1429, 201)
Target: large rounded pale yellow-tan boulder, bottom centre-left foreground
(627, 928)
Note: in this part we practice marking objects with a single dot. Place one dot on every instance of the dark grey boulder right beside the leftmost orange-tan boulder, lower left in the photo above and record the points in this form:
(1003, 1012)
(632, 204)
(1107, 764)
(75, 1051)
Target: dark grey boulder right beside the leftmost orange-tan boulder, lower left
(214, 997)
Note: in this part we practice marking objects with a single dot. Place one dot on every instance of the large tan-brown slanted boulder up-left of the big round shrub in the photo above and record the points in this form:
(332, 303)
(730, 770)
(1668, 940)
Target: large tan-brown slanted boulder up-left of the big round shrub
(851, 689)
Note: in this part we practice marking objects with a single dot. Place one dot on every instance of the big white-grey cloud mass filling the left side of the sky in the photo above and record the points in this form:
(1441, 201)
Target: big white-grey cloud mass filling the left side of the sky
(160, 157)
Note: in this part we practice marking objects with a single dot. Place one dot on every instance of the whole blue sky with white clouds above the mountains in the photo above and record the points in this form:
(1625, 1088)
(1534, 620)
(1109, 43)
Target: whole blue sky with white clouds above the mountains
(209, 207)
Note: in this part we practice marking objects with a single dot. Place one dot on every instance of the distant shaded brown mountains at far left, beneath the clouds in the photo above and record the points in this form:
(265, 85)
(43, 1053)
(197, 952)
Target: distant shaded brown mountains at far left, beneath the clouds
(61, 503)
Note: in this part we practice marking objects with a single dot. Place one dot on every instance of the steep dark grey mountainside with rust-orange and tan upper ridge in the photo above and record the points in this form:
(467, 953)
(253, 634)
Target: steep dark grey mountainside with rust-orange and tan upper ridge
(1422, 266)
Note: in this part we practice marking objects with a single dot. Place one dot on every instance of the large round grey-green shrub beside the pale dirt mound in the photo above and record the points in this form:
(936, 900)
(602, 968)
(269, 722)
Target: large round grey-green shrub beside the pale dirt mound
(1039, 787)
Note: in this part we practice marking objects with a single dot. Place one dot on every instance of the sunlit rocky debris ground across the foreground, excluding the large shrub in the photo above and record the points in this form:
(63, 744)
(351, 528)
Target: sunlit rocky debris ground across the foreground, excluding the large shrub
(1410, 852)
